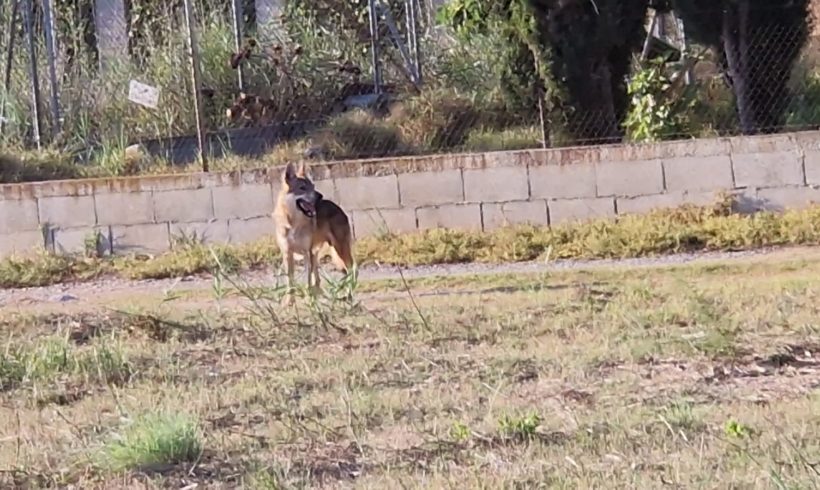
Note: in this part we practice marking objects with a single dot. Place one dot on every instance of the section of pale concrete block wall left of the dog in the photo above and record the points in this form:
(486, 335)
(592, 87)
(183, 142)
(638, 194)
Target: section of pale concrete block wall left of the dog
(136, 215)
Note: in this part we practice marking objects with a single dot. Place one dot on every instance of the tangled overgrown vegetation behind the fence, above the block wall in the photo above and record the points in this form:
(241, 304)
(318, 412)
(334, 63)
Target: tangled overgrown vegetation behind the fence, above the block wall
(485, 70)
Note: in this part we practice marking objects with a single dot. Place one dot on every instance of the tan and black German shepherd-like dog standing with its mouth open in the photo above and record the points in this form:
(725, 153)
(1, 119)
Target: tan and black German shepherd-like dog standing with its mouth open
(305, 223)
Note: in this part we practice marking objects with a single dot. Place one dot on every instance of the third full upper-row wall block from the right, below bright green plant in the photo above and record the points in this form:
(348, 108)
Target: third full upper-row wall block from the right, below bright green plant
(637, 178)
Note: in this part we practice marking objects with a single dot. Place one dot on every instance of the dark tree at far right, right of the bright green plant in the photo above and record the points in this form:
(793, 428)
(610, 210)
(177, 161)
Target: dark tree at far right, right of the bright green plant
(757, 42)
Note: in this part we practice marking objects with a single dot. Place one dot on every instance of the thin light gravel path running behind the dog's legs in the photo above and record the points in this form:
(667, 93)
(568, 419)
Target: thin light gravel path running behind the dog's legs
(70, 292)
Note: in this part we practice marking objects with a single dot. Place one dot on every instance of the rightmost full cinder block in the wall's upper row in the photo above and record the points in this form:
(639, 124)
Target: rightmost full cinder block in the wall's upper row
(774, 169)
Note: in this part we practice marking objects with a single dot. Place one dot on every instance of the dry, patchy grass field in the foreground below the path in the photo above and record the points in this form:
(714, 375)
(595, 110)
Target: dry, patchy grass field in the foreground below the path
(684, 376)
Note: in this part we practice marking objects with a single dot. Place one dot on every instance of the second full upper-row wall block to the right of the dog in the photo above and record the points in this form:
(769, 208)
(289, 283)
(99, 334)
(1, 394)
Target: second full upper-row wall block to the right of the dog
(430, 188)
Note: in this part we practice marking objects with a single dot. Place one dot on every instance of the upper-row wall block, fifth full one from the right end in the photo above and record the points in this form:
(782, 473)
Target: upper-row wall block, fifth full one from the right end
(496, 184)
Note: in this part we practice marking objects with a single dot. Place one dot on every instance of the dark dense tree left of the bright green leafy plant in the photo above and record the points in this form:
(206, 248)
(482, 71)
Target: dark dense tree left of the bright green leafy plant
(580, 51)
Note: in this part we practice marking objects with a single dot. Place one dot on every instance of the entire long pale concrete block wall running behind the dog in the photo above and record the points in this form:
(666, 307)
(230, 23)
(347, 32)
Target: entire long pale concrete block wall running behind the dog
(468, 191)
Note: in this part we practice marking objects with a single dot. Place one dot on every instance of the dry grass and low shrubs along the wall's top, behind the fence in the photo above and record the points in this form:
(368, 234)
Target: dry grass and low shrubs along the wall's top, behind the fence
(434, 121)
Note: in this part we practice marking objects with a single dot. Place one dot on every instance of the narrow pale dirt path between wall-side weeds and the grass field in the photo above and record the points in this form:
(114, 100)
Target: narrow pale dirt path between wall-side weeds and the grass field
(114, 290)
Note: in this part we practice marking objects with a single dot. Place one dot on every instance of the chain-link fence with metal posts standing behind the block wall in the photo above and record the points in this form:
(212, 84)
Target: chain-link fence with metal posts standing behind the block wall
(302, 85)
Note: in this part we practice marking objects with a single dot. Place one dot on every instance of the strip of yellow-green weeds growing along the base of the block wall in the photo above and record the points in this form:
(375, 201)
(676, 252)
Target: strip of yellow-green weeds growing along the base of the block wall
(686, 229)
